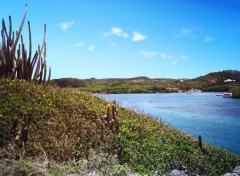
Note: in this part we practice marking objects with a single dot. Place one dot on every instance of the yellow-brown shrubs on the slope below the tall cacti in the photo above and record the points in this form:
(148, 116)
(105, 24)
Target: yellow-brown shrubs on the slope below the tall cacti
(65, 118)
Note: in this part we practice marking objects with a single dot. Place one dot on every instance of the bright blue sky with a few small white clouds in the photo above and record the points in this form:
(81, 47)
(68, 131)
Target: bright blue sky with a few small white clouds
(130, 38)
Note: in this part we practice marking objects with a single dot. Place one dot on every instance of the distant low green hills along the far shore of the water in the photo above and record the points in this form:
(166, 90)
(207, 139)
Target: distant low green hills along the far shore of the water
(208, 83)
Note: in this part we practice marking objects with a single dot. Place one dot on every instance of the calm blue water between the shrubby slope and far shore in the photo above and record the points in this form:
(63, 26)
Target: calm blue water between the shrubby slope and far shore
(217, 119)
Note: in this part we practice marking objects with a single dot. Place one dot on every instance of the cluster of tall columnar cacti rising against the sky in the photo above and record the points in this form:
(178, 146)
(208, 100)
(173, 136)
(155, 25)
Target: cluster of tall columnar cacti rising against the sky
(15, 62)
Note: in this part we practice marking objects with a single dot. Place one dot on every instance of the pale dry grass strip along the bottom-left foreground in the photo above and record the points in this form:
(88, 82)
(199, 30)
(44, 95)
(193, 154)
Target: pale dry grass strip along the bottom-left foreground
(99, 164)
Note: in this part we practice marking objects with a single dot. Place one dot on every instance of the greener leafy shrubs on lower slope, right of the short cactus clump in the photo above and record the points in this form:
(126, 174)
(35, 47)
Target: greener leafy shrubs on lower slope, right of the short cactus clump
(150, 147)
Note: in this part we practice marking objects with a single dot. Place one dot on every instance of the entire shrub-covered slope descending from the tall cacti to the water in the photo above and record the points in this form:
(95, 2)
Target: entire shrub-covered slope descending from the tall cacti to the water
(68, 126)
